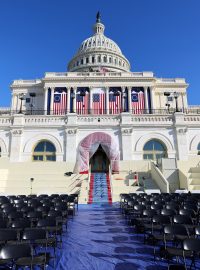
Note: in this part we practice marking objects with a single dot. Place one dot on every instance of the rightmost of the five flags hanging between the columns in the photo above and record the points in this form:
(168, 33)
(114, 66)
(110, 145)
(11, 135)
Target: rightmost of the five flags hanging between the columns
(137, 101)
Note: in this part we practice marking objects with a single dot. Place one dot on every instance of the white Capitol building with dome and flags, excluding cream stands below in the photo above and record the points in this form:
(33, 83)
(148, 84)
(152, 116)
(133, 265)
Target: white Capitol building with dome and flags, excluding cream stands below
(67, 116)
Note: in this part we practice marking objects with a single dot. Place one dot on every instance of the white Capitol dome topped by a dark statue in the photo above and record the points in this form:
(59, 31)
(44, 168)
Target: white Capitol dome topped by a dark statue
(99, 53)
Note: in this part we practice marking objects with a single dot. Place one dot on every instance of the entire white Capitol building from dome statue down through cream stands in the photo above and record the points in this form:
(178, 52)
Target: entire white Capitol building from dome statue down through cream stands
(99, 116)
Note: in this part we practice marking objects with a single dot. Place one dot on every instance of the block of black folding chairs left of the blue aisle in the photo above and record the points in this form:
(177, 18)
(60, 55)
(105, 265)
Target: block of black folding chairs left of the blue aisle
(31, 228)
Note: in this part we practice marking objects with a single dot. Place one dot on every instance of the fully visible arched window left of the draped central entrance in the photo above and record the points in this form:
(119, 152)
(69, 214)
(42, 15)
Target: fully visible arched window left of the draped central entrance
(44, 151)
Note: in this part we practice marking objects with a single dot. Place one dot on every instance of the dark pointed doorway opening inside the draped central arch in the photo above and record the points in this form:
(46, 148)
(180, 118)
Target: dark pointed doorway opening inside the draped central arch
(99, 162)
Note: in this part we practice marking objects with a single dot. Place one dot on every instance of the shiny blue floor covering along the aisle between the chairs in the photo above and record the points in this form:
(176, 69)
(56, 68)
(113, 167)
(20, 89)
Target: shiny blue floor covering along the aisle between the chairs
(98, 238)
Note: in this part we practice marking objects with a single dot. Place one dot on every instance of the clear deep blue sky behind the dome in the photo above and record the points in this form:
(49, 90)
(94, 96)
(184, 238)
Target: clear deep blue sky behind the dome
(37, 36)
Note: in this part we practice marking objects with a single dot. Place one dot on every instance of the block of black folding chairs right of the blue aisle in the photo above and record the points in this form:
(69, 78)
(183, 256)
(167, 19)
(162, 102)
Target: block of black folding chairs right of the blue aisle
(169, 222)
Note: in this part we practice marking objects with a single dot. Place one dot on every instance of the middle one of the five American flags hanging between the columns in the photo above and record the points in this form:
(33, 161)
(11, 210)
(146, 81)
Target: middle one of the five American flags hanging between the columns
(98, 103)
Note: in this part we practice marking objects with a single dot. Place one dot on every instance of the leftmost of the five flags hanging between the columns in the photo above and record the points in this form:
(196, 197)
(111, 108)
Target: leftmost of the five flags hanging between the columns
(60, 102)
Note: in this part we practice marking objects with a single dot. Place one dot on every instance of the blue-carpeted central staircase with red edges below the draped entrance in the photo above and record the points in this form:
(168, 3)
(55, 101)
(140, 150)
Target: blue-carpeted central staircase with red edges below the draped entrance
(100, 190)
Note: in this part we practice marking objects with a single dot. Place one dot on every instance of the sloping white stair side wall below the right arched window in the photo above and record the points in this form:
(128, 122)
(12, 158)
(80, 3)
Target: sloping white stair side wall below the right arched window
(162, 183)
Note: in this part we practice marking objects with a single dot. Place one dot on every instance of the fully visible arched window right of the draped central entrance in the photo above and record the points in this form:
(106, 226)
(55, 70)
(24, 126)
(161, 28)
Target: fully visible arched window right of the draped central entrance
(154, 150)
